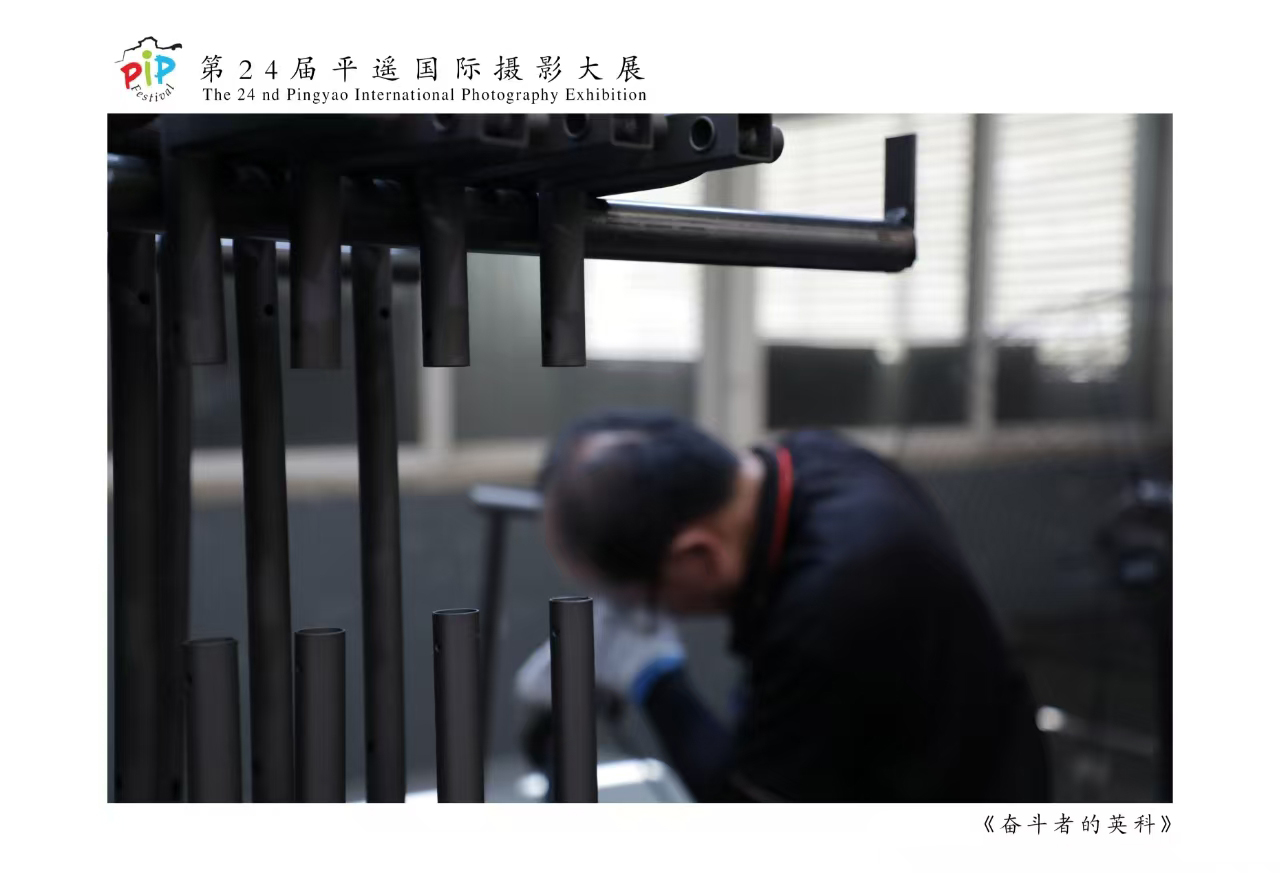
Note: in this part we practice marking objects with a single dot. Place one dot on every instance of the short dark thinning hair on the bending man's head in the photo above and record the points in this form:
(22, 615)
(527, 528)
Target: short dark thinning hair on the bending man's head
(619, 509)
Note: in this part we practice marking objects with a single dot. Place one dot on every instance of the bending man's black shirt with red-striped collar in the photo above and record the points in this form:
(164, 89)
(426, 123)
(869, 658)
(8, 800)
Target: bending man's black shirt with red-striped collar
(875, 669)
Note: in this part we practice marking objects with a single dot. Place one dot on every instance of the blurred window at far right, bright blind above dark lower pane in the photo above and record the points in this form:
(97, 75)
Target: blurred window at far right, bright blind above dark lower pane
(1063, 212)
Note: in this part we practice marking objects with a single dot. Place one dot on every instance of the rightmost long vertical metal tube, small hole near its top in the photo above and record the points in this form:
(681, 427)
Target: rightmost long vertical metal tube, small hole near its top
(380, 525)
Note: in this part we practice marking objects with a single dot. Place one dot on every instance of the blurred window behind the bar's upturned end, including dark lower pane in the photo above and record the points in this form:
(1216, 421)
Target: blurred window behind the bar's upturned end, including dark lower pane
(854, 349)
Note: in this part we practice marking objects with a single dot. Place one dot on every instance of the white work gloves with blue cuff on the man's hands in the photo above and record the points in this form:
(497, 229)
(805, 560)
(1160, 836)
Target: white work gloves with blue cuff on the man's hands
(633, 650)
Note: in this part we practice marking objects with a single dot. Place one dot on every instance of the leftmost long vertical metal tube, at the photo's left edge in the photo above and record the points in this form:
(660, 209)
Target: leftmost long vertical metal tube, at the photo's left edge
(132, 323)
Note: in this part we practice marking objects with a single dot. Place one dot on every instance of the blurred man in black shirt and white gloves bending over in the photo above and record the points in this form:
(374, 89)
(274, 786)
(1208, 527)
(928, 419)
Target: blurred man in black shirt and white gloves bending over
(875, 670)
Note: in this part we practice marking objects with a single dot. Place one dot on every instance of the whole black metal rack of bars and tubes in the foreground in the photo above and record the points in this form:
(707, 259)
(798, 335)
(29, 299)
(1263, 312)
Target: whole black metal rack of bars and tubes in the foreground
(445, 185)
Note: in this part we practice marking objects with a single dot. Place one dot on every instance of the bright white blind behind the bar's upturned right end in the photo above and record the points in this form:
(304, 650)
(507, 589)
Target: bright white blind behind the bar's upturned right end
(835, 166)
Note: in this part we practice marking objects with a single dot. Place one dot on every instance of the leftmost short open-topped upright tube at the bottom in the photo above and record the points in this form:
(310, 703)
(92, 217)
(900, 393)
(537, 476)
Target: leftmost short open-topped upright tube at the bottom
(213, 721)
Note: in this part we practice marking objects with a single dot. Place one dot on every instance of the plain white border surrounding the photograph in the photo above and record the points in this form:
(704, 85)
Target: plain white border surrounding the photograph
(1213, 67)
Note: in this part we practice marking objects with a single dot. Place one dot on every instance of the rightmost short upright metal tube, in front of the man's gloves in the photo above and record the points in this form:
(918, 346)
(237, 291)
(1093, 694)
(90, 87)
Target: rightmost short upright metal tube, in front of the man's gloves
(574, 701)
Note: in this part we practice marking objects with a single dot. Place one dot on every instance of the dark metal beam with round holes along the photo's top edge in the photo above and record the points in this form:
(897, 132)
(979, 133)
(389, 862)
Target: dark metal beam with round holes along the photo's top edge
(600, 156)
